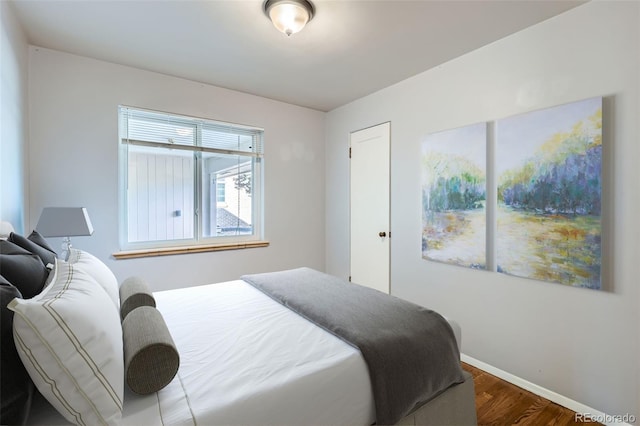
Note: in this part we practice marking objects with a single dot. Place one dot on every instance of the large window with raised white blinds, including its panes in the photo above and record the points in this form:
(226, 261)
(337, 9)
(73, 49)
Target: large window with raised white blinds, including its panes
(188, 181)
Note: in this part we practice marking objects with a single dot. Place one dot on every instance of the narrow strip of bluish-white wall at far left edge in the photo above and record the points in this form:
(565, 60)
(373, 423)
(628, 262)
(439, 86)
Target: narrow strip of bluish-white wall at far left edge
(13, 118)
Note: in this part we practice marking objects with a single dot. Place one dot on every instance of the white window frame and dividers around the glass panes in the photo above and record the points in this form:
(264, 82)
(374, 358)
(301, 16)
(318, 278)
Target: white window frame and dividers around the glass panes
(199, 242)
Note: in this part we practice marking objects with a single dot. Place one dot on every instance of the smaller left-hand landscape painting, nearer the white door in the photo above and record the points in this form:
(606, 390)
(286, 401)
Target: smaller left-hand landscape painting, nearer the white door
(454, 195)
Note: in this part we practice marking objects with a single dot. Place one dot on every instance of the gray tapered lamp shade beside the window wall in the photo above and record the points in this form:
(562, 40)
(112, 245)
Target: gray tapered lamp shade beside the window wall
(64, 222)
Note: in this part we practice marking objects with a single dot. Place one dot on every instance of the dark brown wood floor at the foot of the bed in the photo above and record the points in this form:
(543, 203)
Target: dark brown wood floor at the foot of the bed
(501, 403)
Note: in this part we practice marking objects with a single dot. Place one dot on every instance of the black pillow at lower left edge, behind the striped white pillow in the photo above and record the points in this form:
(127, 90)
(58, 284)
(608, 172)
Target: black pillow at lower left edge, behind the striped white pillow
(16, 386)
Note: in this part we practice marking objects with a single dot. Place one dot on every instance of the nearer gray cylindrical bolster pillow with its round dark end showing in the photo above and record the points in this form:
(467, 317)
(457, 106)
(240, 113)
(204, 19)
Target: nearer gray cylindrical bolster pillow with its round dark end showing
(151, 359)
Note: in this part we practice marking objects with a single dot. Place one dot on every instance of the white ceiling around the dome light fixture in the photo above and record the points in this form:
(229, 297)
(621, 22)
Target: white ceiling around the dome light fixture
(348, 50)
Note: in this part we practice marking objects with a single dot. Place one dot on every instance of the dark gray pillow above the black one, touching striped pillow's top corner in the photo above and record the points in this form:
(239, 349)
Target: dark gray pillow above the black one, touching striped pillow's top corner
(22, 268)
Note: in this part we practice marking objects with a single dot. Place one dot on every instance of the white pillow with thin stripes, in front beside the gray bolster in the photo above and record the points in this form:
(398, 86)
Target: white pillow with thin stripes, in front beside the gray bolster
(69, 338)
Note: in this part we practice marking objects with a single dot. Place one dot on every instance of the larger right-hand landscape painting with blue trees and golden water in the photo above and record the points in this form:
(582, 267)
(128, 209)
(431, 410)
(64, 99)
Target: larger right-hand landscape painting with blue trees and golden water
(548, 168)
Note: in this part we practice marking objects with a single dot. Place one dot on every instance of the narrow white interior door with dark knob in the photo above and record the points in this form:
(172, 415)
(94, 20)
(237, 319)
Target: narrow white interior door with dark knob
(370, 212)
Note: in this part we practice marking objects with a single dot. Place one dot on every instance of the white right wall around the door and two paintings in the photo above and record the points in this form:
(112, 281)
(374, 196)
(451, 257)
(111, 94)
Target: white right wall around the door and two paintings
(582, 344)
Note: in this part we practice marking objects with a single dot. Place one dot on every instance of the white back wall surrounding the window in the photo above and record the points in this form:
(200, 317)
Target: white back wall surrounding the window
(74, 161)
